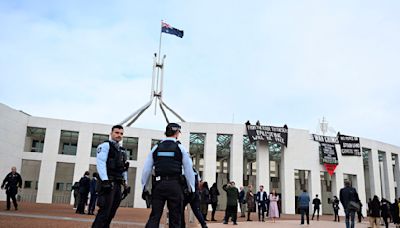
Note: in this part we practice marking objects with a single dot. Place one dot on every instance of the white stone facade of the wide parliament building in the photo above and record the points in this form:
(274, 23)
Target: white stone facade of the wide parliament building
(302, 153)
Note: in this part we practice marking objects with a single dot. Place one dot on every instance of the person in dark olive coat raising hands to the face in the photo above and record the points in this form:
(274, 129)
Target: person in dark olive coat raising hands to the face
(232, 194)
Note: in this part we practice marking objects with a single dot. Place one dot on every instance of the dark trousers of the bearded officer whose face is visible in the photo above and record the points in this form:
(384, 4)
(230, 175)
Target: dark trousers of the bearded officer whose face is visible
(108, 204)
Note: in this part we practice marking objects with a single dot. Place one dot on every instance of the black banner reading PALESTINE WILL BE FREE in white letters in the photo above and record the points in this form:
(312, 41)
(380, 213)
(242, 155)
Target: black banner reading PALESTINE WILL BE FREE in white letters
(267, 133)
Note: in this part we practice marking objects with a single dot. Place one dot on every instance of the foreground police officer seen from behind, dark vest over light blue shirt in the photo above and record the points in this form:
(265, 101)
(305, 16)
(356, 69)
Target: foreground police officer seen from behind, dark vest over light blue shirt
(168, 157)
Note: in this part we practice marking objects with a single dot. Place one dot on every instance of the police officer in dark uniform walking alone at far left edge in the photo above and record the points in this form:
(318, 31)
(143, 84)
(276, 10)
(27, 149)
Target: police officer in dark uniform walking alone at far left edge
(12, 182)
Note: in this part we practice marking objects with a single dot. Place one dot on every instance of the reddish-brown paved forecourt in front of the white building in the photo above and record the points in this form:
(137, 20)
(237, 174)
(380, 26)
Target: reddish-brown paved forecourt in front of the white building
(62, 215)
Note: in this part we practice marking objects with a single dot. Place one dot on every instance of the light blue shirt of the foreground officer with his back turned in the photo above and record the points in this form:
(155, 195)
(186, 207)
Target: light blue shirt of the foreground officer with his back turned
(186, 162)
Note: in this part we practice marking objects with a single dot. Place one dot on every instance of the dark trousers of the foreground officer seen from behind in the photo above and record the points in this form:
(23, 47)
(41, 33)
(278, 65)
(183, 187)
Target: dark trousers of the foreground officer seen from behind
(170, 191)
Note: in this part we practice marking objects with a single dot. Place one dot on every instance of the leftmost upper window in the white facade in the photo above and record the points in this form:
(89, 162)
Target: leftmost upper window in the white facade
(34, 140)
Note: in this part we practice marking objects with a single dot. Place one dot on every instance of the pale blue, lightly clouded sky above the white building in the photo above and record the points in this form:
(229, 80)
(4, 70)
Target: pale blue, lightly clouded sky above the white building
(280, 62)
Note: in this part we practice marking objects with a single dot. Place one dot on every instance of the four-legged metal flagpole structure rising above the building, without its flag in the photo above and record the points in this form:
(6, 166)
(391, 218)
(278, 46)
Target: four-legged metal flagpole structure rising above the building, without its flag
(156, 91)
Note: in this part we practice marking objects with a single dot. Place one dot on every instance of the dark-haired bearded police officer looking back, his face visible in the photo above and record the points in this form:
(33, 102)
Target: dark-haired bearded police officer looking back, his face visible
(112, 168)
